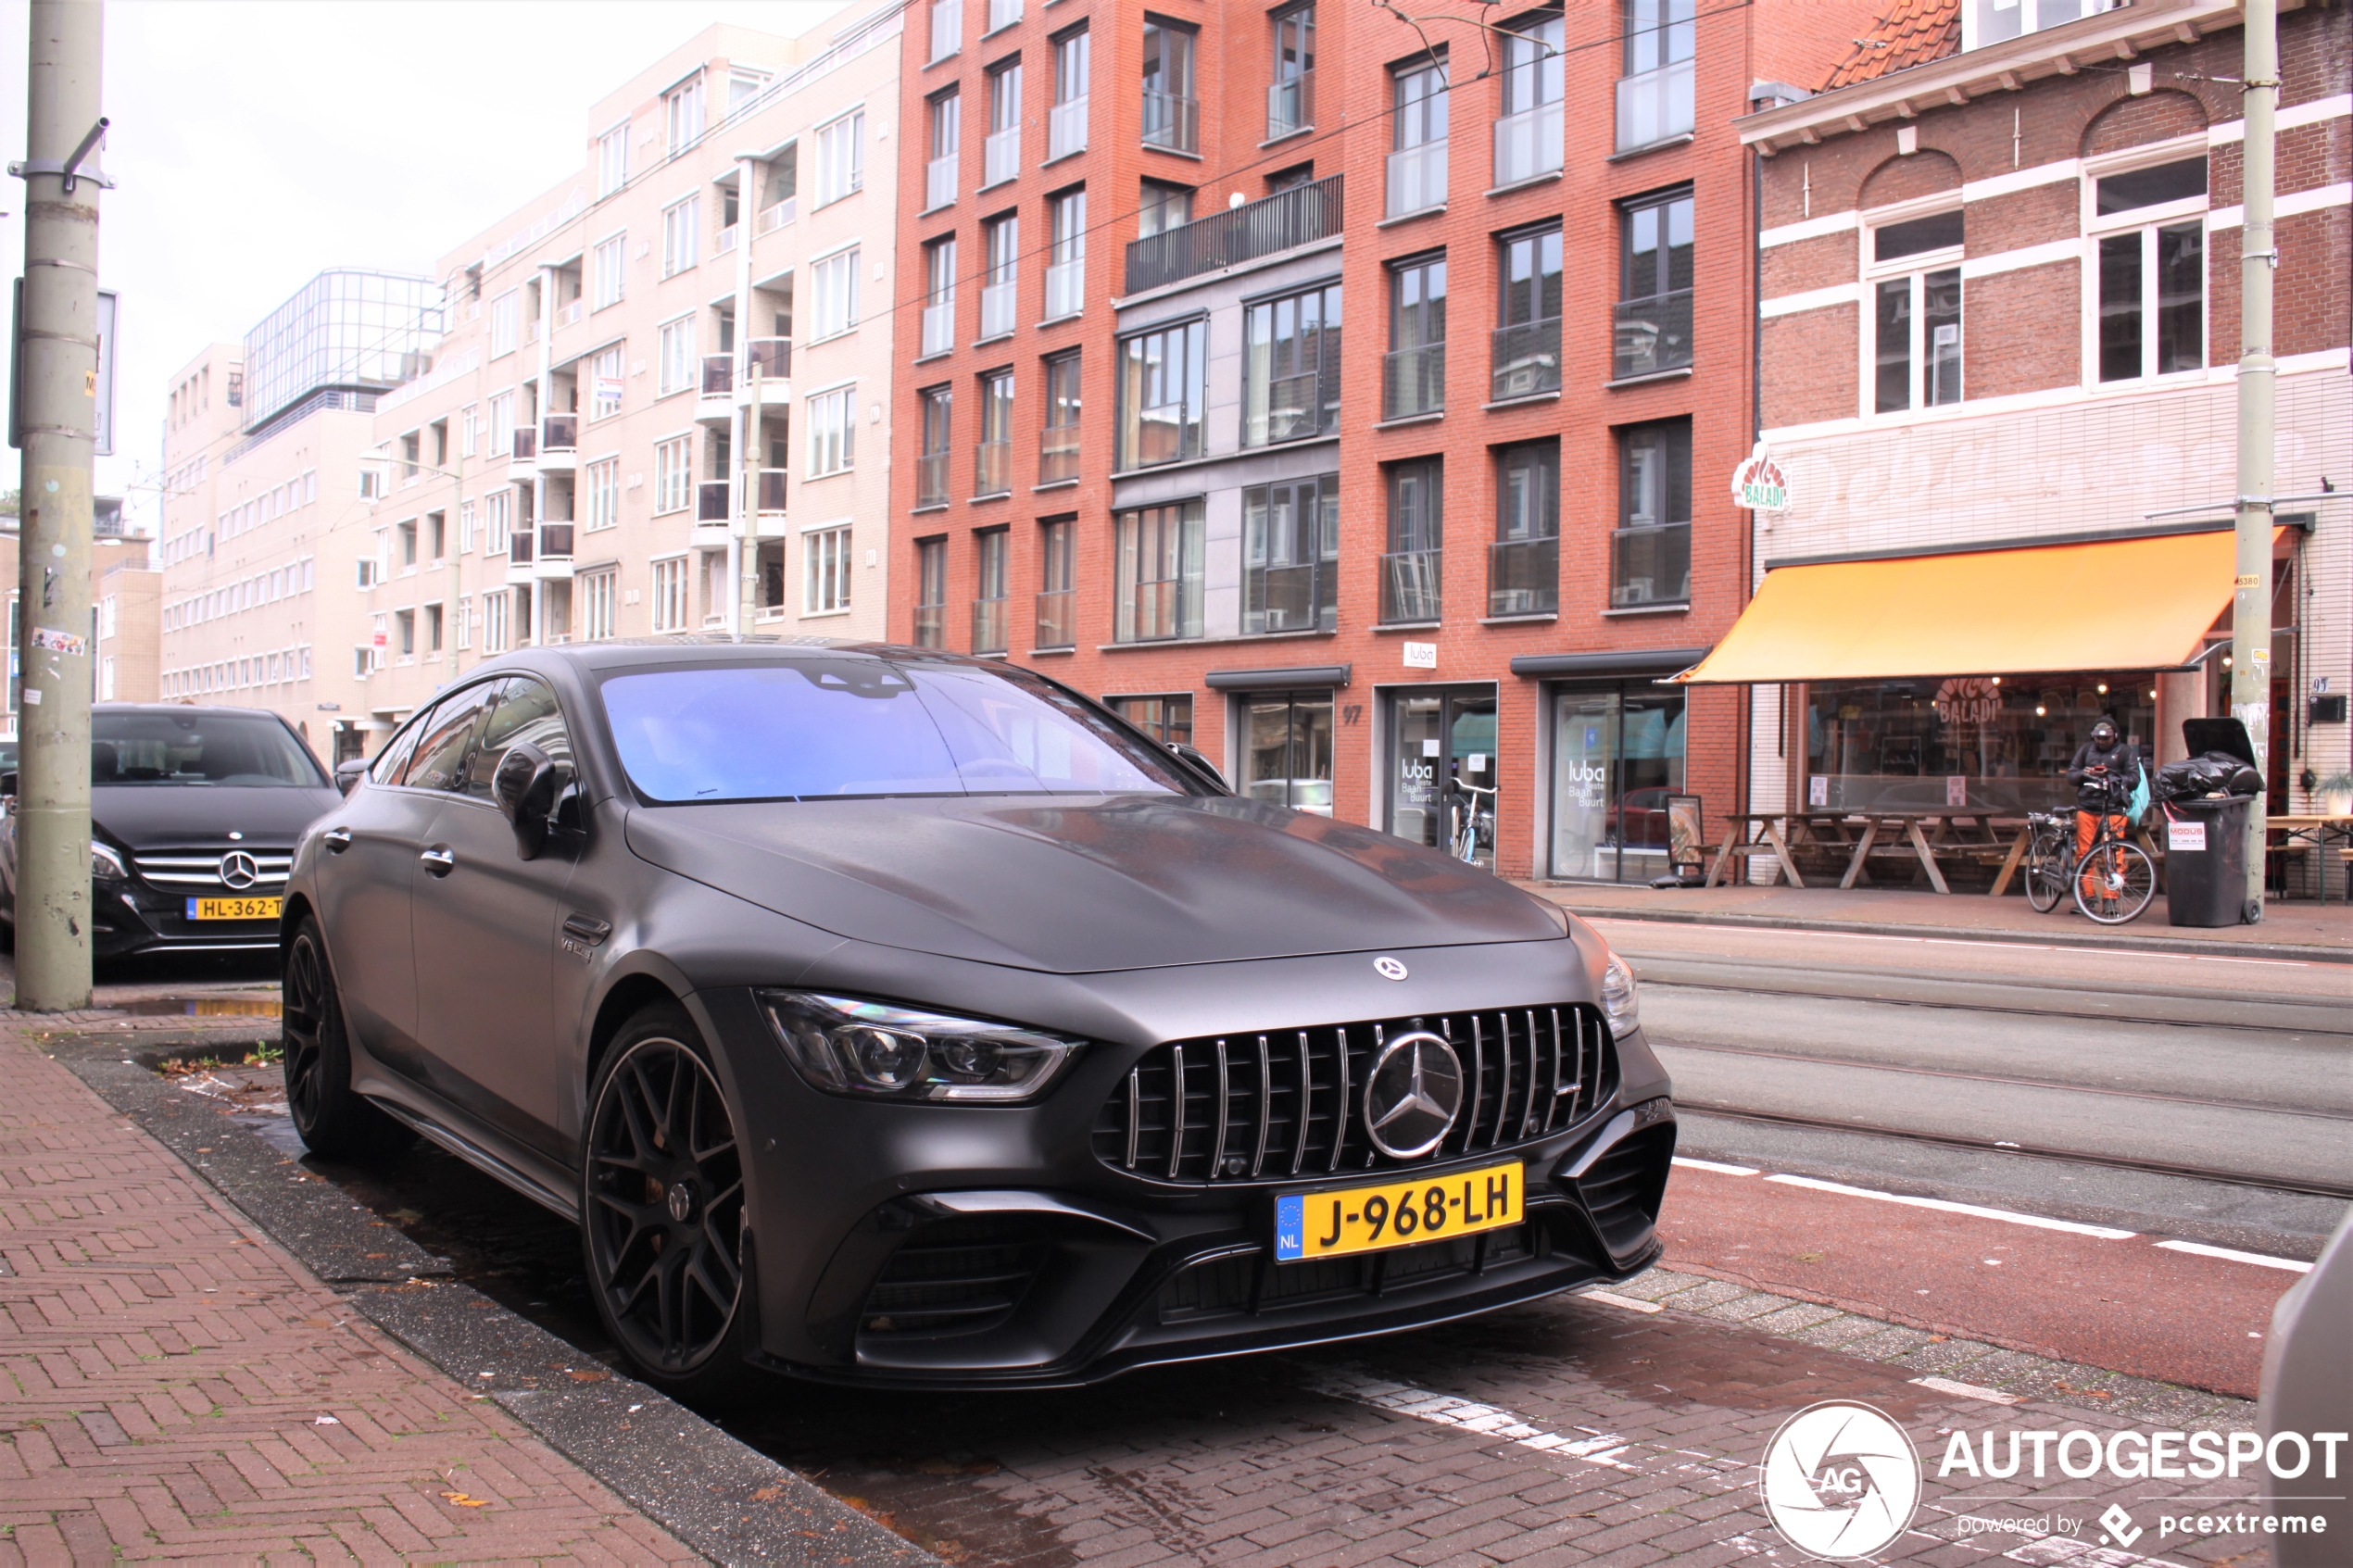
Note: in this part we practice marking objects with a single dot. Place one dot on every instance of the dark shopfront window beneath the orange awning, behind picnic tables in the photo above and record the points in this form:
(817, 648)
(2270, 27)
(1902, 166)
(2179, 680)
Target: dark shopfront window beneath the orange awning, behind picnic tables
(1966, 742)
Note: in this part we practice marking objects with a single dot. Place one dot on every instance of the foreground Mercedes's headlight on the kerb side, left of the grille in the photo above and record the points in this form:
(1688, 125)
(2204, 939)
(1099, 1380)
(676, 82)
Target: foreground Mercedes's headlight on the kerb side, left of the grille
(884, 1052)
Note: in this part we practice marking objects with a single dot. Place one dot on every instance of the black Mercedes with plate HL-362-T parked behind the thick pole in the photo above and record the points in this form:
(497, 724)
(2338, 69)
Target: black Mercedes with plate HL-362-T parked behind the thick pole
(194, 817)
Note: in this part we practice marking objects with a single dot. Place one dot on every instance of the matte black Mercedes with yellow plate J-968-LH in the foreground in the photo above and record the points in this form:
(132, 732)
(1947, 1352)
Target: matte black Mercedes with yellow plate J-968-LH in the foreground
(905, 1019)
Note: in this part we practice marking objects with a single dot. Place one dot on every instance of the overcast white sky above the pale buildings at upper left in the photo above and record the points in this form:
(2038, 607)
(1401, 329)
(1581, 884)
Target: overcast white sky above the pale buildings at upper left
(258, 142)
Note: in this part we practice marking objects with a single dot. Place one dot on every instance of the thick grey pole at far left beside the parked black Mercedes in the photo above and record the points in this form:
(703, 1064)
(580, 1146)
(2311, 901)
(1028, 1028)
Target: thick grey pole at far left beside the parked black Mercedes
(58, 415)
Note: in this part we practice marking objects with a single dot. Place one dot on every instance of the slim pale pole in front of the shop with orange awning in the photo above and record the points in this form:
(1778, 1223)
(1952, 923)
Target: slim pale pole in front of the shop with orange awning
(2258, 387)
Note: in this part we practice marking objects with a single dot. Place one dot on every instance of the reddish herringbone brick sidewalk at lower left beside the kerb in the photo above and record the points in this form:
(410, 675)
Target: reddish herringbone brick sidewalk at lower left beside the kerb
(178, 1386)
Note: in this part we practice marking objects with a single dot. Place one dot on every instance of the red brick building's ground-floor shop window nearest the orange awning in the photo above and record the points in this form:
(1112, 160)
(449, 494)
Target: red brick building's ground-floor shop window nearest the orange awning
(1618, 756)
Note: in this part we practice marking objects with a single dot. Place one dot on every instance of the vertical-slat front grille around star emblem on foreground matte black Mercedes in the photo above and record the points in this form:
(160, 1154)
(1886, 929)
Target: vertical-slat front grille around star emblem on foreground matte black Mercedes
(1288, 1104)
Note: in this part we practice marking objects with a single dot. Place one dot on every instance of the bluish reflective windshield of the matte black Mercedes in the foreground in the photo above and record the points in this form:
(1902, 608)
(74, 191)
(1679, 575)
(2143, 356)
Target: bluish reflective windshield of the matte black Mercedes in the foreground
(869, 728)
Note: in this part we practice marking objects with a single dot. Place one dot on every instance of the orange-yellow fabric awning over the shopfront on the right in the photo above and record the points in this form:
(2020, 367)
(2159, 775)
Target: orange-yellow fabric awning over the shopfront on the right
(2112, 605)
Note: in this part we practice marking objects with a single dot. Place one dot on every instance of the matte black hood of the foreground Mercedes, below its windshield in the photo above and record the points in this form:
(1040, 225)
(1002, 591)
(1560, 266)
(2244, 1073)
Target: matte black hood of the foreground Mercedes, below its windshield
(1088, 885)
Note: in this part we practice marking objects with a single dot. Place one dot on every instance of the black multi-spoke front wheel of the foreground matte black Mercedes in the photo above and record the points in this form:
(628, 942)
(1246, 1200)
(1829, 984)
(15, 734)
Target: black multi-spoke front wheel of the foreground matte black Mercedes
(662, 1212)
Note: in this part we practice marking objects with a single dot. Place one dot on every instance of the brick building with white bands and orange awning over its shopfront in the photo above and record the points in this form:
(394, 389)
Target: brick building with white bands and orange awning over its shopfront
(2001, 272)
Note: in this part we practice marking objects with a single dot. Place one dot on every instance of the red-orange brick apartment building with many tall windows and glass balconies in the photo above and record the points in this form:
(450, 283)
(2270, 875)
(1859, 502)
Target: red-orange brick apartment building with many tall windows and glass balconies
(1354, 568)
